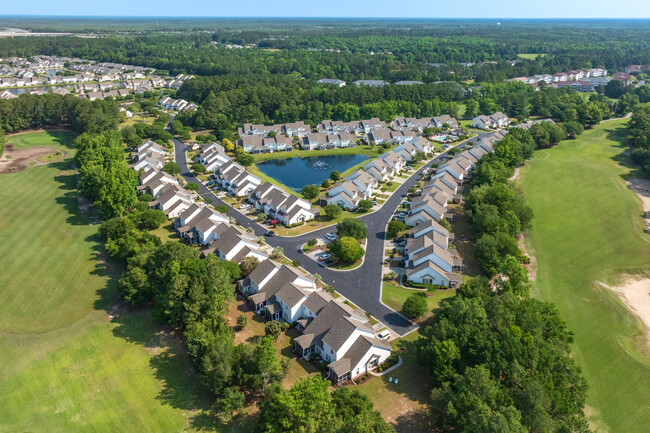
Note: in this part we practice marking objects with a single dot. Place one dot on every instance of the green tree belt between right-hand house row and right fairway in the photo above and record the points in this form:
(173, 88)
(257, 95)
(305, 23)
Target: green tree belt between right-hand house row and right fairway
(501, 361)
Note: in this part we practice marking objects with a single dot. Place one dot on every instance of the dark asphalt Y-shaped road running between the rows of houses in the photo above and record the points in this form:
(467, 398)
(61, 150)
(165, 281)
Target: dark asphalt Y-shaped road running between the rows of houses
(362, 285)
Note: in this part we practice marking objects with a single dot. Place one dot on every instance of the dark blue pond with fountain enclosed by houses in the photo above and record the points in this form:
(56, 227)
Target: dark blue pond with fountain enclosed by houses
(298, 172)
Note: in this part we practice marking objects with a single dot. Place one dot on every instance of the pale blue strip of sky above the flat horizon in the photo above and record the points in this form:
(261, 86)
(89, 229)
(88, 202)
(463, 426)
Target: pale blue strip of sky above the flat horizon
(335, 8)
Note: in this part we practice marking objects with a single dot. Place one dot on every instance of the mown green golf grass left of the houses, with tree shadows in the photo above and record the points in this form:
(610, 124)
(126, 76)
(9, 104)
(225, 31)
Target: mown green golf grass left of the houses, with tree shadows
(67, 365)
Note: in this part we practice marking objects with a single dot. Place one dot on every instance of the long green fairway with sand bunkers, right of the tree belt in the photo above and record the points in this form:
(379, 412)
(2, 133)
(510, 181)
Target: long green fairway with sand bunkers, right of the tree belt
(588, 228)
